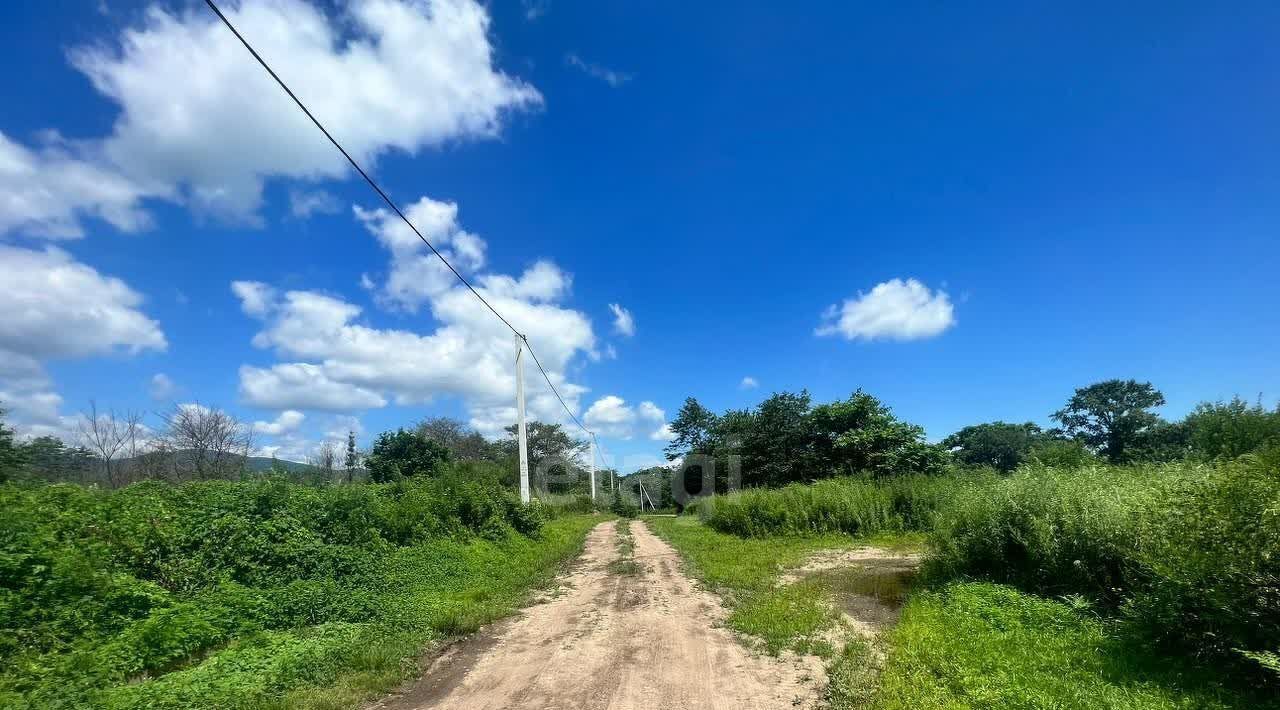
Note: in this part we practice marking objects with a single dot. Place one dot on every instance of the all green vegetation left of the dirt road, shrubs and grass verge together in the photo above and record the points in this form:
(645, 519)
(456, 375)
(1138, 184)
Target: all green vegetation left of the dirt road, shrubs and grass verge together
(264, 592)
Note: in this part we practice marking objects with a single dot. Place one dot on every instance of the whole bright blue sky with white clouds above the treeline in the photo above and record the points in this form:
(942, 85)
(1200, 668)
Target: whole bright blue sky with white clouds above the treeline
(1000, 204)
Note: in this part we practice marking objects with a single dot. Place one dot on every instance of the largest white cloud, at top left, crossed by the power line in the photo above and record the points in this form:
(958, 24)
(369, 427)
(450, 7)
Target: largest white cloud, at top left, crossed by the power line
(382, 75)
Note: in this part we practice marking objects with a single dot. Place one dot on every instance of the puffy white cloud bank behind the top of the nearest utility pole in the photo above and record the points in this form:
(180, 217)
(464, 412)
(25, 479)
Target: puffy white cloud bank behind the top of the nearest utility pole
(337, 363)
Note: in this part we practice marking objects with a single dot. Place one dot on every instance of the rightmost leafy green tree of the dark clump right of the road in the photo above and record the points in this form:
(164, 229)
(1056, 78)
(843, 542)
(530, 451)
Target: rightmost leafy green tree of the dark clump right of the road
(862, 434)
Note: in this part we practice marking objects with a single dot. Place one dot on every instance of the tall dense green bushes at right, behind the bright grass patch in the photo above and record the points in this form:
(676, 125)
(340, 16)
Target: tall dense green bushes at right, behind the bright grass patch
(1188, 551)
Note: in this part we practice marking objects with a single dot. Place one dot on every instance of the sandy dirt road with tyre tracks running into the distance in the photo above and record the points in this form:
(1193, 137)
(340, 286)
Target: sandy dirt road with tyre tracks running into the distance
(615, 642)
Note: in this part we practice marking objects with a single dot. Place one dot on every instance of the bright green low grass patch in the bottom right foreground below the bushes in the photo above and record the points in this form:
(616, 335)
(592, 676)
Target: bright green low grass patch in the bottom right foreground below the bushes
(982, 645)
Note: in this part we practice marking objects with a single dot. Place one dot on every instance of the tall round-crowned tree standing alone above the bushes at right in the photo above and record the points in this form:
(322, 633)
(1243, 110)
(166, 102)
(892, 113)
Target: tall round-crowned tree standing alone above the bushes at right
(1112, 418)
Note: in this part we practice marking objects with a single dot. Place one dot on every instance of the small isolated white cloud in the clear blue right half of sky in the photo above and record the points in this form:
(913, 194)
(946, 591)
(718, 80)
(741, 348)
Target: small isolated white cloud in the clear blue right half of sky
(899, 310)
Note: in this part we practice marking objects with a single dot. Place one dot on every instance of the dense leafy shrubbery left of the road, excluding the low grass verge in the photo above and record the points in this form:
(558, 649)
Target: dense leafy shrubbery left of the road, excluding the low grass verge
(98, 587)
